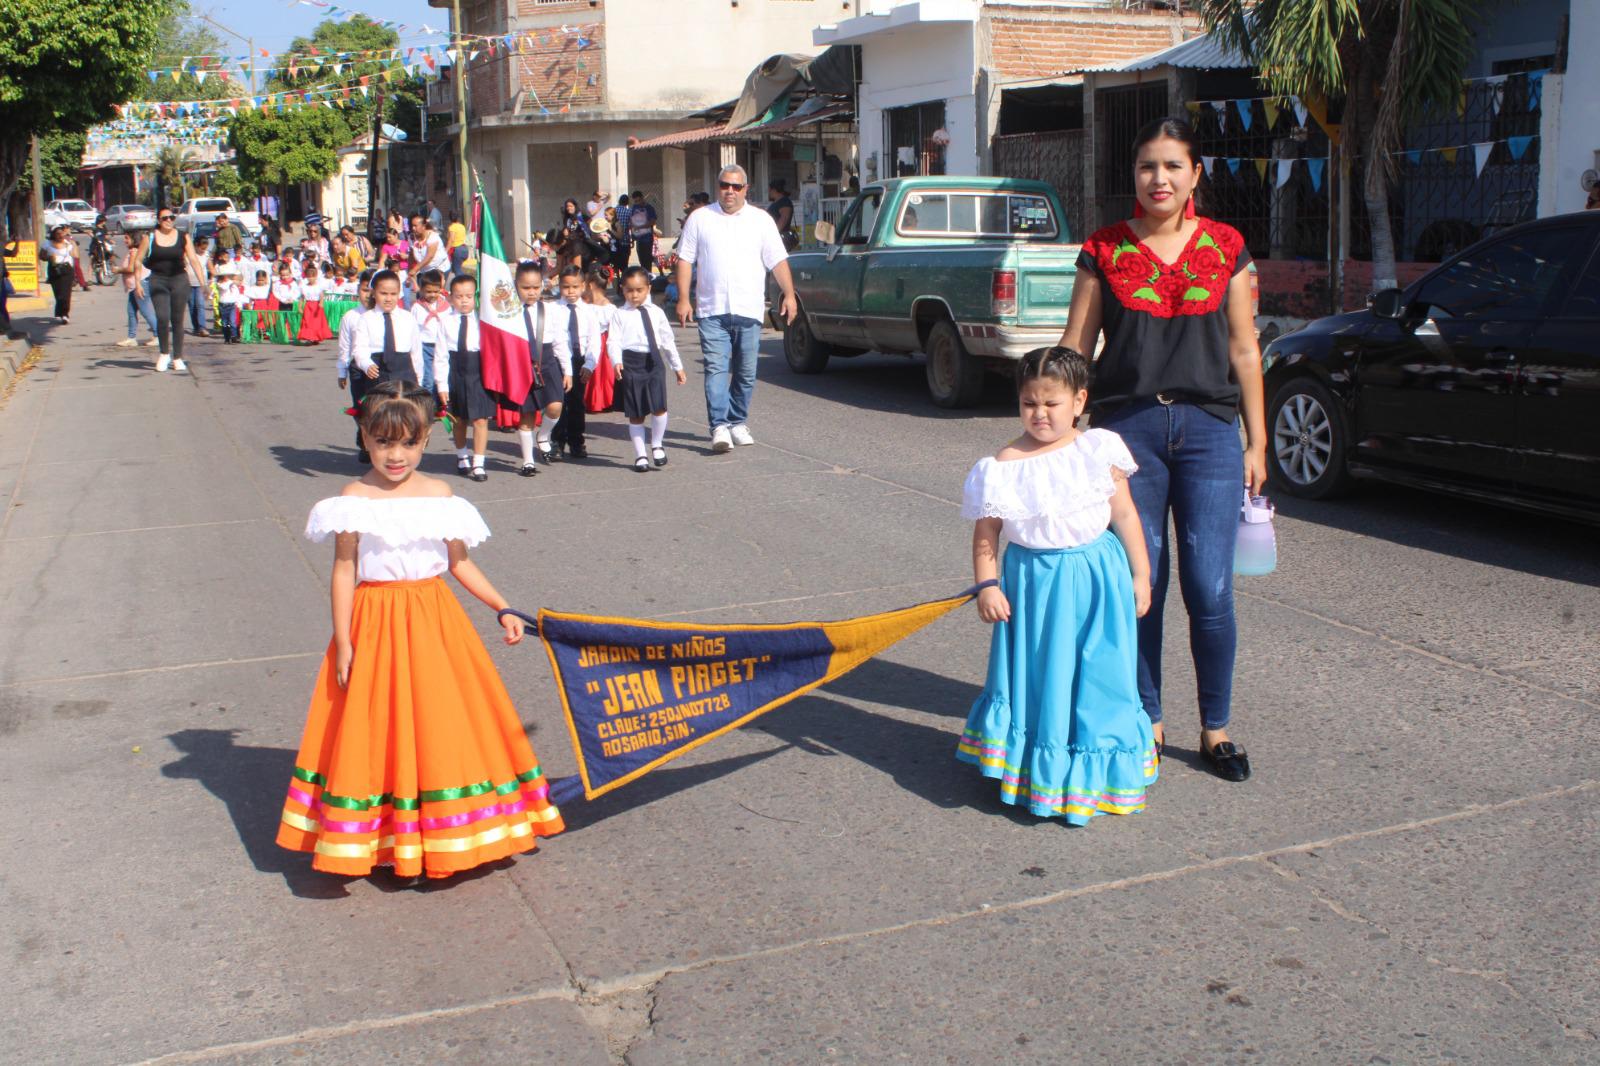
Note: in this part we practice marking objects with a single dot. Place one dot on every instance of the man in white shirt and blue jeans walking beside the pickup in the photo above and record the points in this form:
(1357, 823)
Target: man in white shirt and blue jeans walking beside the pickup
(730, 246)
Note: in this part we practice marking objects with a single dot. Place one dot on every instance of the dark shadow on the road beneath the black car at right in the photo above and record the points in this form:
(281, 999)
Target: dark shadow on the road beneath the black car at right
(1495, 537)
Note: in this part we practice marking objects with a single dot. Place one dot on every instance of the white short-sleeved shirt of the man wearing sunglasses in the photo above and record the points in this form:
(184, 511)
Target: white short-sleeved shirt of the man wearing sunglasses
(732, 255)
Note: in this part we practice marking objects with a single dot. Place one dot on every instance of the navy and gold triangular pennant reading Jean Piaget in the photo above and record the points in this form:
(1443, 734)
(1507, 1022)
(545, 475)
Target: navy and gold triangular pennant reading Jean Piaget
(641, 694)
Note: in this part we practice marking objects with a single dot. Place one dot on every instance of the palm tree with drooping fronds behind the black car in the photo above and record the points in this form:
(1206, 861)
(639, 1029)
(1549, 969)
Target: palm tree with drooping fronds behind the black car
(1393, 62)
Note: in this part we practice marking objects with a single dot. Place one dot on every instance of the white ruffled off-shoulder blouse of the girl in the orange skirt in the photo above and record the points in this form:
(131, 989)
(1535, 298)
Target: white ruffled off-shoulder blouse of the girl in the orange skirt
(402, 540)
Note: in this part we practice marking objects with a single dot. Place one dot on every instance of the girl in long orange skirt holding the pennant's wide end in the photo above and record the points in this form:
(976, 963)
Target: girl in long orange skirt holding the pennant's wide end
(414, 755)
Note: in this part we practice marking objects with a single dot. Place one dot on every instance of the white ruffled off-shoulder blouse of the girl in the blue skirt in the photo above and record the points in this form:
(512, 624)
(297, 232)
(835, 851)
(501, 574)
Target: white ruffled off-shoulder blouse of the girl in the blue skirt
(1052, 500)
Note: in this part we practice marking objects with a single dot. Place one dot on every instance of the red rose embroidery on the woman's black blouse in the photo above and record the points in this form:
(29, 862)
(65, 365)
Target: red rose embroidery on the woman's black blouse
(1194, 286)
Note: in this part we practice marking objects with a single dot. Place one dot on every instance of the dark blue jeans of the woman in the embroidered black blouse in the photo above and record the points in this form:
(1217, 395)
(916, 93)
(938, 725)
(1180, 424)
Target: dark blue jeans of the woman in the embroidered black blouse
(1191, 467)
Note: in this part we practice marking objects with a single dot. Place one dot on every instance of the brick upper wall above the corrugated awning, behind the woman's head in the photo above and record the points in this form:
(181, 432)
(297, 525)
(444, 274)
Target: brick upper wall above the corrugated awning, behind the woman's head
(1033, 42)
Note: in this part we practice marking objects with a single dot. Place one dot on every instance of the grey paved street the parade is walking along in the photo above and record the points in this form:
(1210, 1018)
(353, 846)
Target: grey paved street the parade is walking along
(1409, 876)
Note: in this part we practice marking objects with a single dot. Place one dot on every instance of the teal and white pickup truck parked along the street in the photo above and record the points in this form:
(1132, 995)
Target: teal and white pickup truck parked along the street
(972, 271)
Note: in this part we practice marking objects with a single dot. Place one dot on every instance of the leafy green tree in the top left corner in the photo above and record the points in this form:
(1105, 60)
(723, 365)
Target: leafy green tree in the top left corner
(63, 65)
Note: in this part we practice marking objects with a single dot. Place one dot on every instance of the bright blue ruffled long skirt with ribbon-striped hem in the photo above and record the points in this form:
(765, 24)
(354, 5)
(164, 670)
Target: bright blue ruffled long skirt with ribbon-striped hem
(1060, 719)
